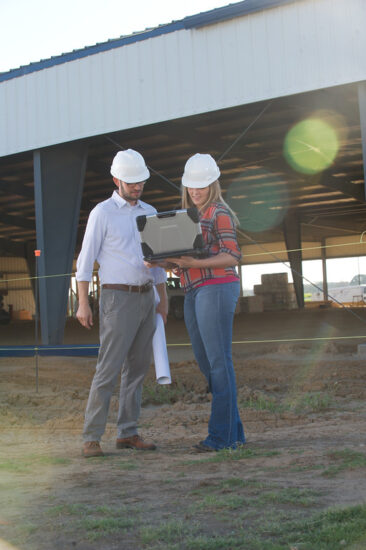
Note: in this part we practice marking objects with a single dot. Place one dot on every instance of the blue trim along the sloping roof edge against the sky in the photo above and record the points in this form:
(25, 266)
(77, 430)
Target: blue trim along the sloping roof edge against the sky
(190, 22)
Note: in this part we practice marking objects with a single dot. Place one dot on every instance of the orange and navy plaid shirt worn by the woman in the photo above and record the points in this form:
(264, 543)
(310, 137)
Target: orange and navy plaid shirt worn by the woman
(219, 235)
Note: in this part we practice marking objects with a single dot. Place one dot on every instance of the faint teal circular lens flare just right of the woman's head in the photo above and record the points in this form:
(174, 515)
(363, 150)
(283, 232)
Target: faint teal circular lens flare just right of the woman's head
(259, 199)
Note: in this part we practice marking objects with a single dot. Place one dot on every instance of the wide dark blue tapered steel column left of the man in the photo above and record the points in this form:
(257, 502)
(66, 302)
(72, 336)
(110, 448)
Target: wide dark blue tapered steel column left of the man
(58, 183)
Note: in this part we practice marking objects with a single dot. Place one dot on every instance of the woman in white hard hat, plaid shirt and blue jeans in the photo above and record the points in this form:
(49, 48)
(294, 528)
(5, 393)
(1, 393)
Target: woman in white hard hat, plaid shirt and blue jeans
(212, 288)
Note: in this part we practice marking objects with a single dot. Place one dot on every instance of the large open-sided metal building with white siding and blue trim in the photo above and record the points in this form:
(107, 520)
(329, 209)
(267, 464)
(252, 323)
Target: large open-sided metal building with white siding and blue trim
(233, 82)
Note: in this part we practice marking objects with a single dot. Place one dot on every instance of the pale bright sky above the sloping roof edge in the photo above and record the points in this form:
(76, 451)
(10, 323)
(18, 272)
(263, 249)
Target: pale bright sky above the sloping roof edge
(32, 30)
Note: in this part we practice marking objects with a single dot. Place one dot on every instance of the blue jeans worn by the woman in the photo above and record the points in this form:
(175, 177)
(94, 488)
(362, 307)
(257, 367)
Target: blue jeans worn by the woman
(208, 314)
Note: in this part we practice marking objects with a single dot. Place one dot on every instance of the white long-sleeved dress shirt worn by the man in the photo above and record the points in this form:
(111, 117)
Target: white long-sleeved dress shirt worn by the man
(112, 239)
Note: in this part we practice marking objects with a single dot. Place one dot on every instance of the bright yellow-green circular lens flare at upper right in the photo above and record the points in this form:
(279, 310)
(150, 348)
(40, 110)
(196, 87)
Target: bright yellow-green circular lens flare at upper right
(311, 146)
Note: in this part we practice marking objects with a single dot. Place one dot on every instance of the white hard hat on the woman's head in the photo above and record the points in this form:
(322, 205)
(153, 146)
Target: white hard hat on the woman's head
(200, 171)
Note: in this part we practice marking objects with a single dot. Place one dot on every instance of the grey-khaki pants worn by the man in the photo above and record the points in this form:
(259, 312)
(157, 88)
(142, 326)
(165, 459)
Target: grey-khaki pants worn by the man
(127, 325)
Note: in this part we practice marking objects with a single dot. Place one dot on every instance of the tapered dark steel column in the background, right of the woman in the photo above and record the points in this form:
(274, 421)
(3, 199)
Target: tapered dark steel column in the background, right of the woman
(292, 234)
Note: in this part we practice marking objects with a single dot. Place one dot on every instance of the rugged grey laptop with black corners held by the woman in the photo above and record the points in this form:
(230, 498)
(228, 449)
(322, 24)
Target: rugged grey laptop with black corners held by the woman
(170, 234)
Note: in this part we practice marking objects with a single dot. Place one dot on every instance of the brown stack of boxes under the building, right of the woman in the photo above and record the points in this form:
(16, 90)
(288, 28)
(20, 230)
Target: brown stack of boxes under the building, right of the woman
(276, 291)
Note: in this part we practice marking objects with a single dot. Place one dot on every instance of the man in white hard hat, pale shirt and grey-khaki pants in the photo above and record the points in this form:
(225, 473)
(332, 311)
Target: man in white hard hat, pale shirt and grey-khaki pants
(127, 304)
